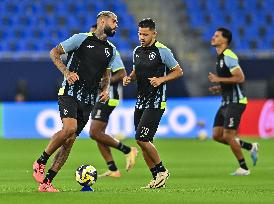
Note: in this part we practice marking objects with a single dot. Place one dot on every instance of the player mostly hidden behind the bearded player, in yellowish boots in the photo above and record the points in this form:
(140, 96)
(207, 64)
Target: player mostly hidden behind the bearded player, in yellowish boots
(100, 116)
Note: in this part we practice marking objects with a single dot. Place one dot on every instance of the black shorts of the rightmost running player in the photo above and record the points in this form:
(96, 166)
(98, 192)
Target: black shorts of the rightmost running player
(229, 116)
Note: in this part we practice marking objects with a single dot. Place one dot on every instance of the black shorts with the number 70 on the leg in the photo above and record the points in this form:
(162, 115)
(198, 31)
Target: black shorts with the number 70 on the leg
(146, 123)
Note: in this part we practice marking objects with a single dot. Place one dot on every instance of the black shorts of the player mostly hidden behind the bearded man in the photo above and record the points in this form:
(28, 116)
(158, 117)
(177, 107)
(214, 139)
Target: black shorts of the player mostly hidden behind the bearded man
(101, 112)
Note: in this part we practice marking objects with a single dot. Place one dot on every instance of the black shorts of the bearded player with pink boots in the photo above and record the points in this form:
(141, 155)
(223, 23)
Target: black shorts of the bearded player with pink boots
(69, 107)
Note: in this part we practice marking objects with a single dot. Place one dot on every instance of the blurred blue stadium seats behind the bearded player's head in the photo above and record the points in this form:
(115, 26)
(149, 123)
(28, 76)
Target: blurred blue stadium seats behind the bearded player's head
(39, 25)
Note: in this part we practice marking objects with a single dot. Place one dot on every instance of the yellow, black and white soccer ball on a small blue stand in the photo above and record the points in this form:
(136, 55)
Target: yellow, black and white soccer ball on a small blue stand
(86, 175)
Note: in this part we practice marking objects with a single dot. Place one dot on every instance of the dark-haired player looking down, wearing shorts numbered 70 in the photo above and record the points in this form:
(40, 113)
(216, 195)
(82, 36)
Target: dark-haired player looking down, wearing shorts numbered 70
(151, 62)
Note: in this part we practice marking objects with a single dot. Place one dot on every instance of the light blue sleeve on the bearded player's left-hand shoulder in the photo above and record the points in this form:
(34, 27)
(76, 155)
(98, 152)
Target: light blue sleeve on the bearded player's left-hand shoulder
(74, 42)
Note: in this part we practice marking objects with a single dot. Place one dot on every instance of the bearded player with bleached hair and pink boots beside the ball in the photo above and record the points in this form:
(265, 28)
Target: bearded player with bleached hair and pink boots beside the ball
(90, 57)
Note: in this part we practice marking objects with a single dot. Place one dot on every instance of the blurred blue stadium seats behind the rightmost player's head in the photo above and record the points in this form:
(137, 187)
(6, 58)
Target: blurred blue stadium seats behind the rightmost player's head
(252, 21)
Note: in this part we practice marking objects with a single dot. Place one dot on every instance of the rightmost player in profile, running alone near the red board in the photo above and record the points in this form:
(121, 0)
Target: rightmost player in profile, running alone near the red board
(231, 78)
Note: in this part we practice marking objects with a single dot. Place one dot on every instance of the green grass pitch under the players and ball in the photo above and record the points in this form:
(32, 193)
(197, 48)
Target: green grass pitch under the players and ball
(199, 174)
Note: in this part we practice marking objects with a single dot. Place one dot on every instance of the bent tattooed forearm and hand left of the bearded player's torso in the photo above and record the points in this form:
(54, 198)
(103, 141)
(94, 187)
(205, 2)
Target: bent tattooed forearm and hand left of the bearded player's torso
(55, 55)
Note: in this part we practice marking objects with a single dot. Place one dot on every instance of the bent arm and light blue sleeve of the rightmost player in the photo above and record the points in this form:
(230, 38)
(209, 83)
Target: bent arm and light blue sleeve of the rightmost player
(237, 75)
